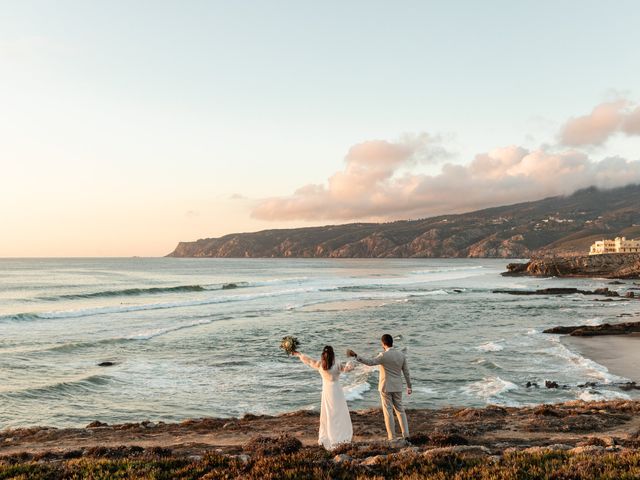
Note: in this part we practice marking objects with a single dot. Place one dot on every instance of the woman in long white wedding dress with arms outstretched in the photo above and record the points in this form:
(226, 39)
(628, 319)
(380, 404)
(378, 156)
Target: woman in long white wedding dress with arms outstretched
(335, 422)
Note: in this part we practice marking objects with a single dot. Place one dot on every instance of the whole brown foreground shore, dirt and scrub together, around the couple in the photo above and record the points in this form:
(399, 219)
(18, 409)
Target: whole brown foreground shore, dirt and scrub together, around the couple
(468, 442)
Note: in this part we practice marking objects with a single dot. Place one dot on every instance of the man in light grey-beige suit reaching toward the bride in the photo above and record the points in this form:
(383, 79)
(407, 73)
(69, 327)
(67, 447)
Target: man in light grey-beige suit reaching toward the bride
(392, 364)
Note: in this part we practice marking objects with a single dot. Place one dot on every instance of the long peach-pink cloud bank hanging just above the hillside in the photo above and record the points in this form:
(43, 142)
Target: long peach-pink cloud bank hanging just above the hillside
(373, 185)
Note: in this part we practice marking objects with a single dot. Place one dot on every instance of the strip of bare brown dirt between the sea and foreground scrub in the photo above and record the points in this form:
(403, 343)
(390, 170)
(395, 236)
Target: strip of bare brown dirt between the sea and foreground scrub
(497, 428)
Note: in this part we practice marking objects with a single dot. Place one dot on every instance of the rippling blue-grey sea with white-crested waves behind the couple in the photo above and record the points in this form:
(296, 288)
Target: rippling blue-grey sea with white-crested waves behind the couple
(185, 347)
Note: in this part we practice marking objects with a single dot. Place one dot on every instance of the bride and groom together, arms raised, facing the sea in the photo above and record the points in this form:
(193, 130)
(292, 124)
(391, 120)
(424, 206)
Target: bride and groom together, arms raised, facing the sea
(335, 421)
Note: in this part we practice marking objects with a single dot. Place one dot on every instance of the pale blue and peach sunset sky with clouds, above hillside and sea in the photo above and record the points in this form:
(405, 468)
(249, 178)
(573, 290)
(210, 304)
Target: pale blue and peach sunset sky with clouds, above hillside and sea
(127, 127)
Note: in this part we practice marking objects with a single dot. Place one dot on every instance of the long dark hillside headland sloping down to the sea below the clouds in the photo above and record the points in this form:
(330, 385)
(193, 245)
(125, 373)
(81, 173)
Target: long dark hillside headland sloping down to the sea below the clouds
(555, 225)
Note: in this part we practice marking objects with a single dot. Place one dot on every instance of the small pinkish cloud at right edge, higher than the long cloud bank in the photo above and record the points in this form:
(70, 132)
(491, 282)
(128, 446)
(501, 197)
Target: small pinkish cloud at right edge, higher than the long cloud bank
(604, 120)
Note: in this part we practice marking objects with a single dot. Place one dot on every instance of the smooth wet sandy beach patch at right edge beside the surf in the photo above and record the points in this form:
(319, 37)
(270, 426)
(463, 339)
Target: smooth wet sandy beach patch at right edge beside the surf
(619, 353)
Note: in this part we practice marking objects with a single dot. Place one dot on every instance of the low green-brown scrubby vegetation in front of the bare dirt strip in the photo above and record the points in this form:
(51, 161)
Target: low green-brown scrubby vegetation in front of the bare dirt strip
(315, 463)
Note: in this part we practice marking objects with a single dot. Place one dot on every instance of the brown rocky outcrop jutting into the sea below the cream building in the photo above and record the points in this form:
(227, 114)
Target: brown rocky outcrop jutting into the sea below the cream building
(614, 265)
